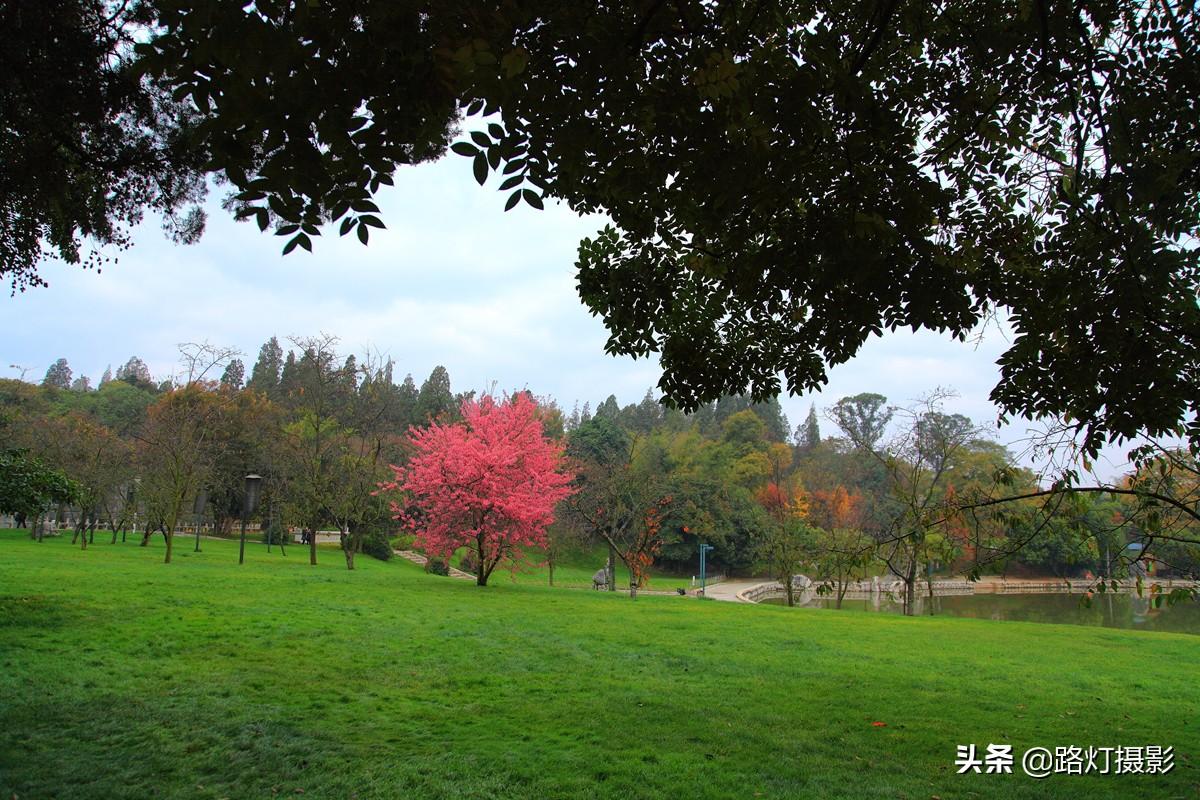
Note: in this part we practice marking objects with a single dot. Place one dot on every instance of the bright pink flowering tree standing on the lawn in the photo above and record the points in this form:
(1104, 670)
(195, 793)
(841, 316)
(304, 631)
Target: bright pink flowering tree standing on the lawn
(490, 483)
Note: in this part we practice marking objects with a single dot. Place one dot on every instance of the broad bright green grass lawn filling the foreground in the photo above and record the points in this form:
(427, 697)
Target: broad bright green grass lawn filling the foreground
(127, 678)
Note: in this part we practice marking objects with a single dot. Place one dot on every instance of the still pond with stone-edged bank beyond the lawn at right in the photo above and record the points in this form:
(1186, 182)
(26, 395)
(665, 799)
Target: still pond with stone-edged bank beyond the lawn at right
(1108, 610)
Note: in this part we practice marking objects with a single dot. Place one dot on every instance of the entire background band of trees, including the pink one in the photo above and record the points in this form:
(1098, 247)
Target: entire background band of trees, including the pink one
(913, 492)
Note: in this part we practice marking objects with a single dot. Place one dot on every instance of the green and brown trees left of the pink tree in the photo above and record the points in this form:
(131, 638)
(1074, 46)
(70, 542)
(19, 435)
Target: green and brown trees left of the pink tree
(321, 429)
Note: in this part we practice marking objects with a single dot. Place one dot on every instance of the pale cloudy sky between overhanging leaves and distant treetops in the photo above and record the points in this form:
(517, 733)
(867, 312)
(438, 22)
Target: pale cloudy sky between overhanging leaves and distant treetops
(454, 281)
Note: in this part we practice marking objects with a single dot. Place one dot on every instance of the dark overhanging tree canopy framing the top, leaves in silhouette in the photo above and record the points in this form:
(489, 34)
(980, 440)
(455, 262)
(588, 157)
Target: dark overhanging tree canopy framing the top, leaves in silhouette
(785, 179)
